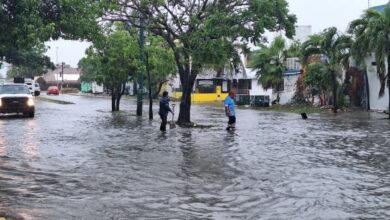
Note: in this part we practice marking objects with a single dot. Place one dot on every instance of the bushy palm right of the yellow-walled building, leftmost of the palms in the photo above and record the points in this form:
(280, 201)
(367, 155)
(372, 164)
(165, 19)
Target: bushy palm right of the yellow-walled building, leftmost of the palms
(270, 64)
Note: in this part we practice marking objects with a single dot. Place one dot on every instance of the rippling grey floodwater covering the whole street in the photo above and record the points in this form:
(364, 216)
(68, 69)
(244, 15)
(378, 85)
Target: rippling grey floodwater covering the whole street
(82, 162)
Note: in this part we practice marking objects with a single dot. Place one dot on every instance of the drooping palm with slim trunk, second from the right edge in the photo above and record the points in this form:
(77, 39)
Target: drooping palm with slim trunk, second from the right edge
(333, 50)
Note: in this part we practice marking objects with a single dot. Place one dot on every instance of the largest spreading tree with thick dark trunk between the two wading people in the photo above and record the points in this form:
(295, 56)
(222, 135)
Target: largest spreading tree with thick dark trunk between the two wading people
(204, 32)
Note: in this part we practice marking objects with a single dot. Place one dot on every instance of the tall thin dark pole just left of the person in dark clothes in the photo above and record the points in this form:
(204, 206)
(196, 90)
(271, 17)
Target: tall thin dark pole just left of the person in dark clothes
(141, 73)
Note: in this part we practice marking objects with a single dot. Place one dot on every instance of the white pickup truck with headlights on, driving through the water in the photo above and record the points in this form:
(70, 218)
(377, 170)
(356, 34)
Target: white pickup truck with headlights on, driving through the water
(16, 98)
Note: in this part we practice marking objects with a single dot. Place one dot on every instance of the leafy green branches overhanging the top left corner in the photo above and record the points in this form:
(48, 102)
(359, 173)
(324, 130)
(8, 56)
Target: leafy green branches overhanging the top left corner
(27, 23)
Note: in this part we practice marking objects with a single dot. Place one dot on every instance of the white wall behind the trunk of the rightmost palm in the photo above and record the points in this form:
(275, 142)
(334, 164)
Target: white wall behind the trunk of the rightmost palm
(376, 103)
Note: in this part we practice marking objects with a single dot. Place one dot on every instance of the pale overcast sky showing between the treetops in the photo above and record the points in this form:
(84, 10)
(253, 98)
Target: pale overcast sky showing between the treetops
(320, 14)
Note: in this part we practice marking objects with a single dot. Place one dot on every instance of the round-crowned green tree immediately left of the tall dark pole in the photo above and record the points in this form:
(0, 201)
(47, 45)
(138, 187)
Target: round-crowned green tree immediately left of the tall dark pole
(112, 60)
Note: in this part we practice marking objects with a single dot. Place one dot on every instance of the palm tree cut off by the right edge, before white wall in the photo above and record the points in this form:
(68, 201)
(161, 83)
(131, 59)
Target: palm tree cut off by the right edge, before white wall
(372, 34)
